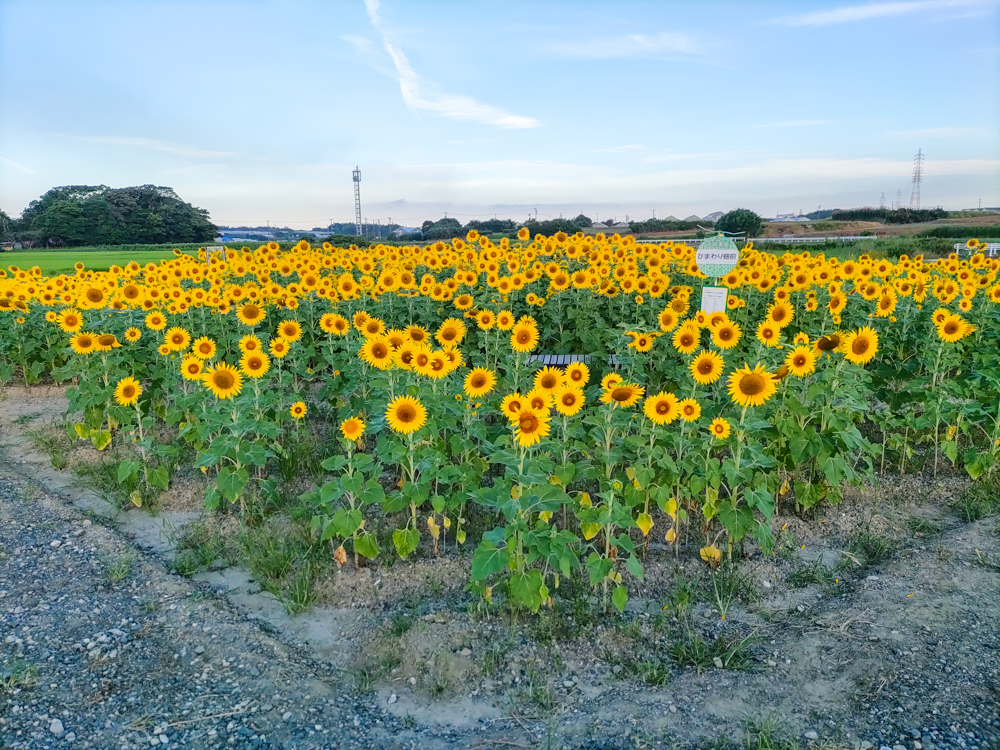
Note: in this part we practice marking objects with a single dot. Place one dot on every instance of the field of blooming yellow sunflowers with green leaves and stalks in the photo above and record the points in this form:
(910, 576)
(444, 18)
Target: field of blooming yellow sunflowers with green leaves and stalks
(429, 370)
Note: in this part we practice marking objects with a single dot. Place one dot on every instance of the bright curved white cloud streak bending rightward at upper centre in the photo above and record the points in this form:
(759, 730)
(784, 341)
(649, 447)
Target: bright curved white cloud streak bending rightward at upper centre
(417, 95)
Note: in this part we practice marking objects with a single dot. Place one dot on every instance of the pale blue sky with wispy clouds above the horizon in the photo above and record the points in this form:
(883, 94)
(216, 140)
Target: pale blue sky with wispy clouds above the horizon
(258, 111)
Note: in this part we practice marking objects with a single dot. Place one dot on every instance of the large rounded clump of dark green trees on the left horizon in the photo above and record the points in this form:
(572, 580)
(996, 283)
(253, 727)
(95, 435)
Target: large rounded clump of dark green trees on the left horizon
(98, 215)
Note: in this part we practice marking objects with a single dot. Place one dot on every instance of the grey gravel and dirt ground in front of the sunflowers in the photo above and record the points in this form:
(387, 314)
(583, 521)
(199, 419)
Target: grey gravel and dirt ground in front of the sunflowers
(101, 646)
